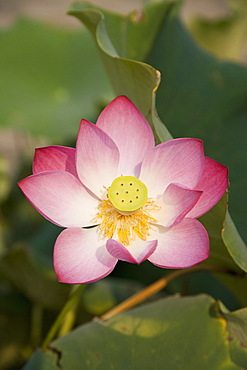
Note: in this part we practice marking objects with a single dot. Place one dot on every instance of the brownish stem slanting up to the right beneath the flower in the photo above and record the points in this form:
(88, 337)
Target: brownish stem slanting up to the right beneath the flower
(157, 286)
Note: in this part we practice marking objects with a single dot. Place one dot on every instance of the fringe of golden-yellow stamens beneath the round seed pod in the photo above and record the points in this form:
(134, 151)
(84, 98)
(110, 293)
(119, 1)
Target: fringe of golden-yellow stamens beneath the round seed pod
(125, 227)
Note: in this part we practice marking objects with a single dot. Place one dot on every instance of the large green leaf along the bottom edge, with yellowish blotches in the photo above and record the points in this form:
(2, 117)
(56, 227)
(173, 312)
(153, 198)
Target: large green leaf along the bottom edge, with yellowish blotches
(173, 333)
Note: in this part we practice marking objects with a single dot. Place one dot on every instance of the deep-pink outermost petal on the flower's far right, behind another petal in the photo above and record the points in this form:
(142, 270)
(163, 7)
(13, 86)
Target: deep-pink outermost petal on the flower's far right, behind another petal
(213, 183)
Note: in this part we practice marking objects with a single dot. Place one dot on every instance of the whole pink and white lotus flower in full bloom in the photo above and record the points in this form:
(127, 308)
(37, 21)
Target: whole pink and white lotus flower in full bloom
(120, 197)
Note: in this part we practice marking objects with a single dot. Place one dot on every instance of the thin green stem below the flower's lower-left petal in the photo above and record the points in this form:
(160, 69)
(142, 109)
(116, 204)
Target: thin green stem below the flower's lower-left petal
(65, 315)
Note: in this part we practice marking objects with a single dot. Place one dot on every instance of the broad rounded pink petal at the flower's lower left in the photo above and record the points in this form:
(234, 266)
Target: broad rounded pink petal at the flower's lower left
(80, 257)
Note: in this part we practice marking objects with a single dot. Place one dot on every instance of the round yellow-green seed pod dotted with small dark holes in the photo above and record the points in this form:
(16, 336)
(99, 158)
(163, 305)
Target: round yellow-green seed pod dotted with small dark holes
(127, 193)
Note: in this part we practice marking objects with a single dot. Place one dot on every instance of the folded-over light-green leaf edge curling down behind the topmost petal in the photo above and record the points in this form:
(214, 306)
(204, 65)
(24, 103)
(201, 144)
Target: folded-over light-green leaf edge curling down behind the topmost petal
(134, 79)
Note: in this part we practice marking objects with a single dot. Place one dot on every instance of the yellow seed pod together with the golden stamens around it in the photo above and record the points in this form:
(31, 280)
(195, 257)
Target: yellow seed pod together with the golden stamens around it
(125, 214)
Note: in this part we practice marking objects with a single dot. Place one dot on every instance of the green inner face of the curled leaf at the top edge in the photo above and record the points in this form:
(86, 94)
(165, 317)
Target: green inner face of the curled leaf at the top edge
(131, 35)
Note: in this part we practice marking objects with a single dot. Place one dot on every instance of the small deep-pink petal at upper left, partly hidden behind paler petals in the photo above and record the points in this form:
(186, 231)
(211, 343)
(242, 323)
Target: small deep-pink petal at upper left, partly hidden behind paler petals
(54, 158)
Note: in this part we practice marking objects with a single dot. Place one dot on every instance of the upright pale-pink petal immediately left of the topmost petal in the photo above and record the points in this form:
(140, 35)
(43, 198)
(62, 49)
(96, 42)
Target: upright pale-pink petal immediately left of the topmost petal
(97, 158)
